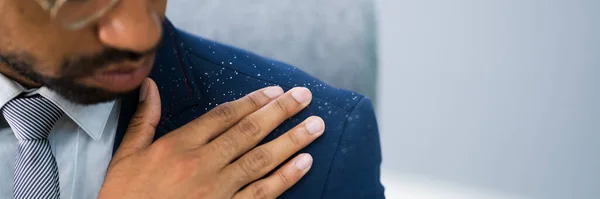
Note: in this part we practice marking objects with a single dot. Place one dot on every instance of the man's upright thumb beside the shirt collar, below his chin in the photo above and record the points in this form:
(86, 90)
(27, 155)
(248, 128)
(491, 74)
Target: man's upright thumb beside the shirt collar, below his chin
(142, 126)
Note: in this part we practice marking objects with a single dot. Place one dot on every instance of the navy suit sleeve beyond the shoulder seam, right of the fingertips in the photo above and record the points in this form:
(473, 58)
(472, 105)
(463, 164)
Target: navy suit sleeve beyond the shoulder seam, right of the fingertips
(355, 171)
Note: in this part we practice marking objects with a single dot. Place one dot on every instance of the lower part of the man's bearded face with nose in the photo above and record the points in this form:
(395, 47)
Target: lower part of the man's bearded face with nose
(50, 58)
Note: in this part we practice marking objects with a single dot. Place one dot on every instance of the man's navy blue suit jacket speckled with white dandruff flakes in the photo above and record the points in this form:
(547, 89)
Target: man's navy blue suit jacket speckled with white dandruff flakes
(194, 75)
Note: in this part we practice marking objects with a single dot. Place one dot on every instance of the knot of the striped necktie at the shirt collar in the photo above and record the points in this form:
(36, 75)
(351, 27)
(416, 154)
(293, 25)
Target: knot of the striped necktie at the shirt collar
(31, 118)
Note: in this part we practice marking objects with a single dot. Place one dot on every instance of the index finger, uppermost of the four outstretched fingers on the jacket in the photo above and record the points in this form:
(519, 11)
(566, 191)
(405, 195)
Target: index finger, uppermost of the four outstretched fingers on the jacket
(221, 118)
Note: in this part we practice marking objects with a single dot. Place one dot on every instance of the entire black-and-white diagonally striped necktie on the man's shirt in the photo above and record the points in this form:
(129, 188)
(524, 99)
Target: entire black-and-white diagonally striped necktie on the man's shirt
(36, 172)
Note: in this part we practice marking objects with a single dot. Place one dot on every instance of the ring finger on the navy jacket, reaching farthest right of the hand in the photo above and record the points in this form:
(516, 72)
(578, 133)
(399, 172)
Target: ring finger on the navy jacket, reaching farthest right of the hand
(263, 159)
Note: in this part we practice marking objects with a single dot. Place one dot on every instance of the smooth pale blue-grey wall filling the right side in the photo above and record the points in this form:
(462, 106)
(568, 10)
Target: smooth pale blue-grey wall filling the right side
(500, 95)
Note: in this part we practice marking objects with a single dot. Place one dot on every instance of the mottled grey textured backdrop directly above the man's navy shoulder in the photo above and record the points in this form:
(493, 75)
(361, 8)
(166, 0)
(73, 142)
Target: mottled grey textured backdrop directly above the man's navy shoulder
(331, 39)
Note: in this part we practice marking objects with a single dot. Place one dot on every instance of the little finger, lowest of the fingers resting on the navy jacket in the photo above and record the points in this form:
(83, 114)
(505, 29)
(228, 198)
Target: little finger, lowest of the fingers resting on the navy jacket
(280, 181)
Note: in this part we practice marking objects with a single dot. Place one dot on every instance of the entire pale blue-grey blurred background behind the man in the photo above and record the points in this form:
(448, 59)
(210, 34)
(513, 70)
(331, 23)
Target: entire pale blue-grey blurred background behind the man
(475, 98)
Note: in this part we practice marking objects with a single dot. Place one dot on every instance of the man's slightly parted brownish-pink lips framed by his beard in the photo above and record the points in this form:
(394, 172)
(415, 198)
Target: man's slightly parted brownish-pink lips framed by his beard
(123, 78)
